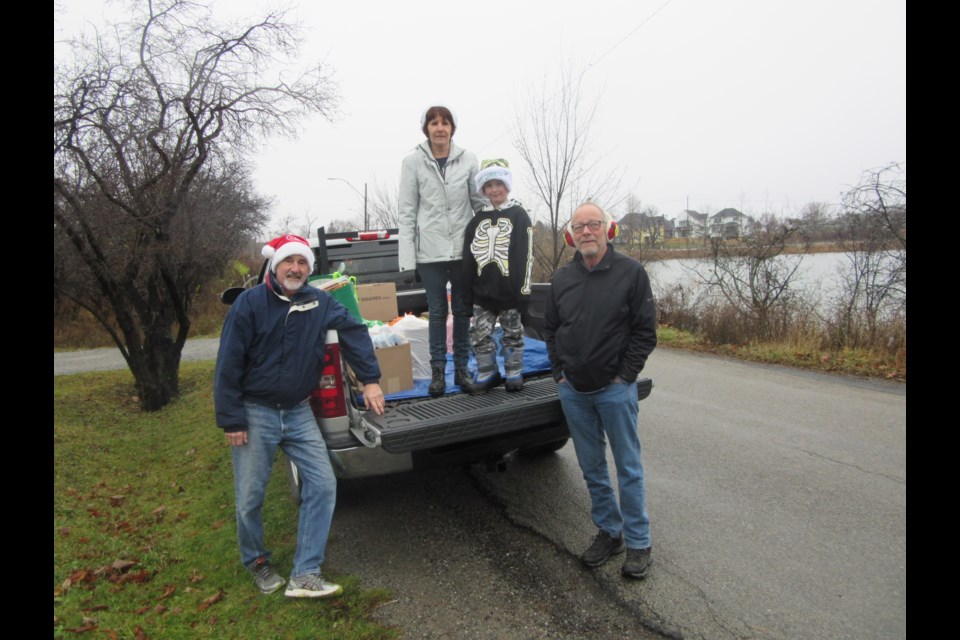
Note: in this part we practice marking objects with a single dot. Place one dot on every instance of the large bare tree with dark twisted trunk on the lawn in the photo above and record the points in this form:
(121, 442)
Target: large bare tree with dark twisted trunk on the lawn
(148, 124)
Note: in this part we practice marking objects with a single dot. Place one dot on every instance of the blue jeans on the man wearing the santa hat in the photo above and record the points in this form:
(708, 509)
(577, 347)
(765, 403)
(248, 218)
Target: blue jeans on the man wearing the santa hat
(296, 432)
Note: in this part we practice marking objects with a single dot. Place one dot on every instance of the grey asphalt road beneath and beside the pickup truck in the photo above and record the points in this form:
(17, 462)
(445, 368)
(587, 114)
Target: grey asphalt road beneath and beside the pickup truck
(778, 507)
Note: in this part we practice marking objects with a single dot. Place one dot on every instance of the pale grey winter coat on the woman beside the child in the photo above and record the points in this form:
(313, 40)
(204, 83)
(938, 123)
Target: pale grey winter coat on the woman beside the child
(434, 211)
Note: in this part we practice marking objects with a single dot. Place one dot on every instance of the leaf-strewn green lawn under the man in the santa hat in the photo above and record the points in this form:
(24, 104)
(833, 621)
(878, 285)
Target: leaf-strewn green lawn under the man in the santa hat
(144, 530)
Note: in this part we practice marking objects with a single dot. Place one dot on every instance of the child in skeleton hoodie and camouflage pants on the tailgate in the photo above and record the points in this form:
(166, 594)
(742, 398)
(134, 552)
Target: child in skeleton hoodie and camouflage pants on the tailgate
(497, 259)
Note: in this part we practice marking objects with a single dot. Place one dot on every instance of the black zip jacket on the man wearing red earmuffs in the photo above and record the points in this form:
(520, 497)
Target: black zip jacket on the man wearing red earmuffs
(600, 323)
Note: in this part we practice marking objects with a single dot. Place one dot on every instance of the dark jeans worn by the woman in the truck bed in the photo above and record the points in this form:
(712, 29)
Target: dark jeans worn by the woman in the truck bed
(434, 276)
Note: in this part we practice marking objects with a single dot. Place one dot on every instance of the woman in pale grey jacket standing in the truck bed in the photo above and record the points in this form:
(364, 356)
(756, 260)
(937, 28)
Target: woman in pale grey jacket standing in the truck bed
(437, 199)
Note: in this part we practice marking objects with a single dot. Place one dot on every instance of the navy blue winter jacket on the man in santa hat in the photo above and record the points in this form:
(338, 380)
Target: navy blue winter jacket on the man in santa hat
(271, 350)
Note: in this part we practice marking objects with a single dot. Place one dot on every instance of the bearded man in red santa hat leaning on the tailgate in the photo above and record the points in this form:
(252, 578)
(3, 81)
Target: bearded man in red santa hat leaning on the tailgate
(270, 359)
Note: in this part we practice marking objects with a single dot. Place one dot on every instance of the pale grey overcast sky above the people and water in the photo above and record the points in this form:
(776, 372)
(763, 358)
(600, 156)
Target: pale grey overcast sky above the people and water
(762, 105)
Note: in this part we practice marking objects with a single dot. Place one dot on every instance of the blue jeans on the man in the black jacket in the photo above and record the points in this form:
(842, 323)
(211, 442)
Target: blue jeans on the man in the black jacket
(610, 413)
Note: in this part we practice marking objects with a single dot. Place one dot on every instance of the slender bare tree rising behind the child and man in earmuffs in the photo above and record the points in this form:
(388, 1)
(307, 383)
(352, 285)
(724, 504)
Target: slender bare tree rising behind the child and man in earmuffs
(553, 140)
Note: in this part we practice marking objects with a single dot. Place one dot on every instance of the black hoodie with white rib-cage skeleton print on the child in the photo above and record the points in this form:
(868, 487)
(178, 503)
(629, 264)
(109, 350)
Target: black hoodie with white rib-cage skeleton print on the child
(498, 258)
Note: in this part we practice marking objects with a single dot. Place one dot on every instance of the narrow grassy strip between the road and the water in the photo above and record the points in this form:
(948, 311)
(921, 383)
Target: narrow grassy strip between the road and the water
(858, 362)
